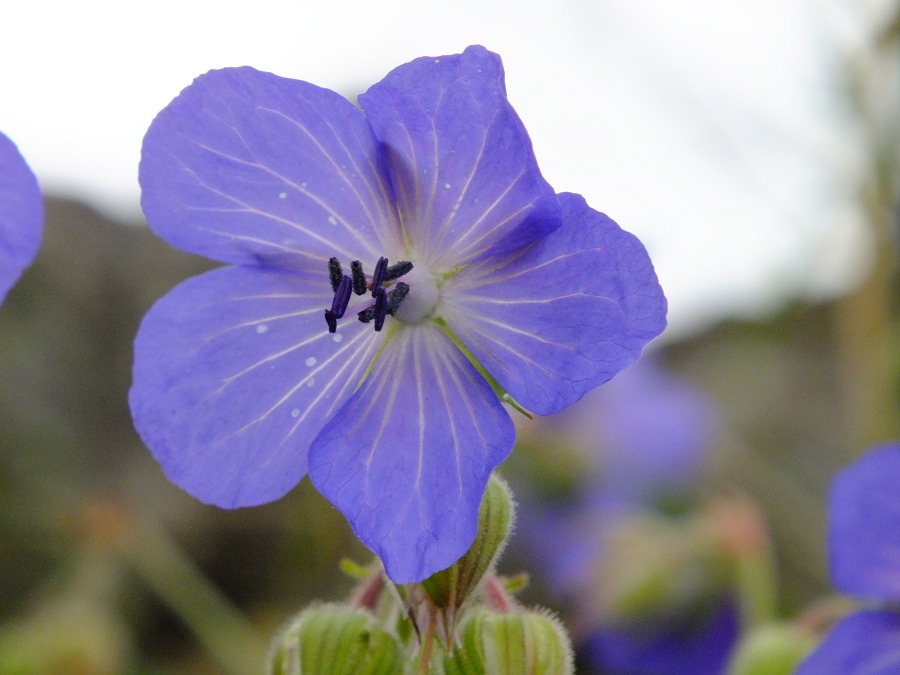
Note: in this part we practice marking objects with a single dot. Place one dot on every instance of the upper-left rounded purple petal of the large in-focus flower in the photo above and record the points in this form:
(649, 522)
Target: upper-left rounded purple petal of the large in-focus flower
(251, 168)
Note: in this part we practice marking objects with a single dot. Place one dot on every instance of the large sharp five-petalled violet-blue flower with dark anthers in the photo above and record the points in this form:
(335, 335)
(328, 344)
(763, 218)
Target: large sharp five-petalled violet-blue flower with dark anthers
(392, 272)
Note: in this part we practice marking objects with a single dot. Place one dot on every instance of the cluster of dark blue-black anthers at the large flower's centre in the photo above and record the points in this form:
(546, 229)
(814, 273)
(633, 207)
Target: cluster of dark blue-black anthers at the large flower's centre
(383, 277)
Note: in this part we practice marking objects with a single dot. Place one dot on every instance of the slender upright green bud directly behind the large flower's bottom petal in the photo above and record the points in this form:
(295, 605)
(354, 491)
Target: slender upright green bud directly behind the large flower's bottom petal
(449, 588)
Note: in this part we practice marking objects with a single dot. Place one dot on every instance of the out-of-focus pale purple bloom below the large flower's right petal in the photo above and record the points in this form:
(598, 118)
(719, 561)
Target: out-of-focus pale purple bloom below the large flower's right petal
(644, 436)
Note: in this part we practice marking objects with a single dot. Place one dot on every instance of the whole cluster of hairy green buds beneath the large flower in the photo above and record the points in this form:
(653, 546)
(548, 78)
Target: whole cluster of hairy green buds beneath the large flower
(462, 620)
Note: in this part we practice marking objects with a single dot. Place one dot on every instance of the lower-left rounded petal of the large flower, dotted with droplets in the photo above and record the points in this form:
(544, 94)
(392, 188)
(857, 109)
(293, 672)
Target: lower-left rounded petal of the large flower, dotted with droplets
(234, 375)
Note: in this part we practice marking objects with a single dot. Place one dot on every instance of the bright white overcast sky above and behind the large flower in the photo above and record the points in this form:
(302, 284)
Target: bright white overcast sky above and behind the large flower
(707, 127)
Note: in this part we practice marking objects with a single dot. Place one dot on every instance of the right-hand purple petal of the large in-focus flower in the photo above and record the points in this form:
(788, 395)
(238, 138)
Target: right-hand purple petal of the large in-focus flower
(562, 316)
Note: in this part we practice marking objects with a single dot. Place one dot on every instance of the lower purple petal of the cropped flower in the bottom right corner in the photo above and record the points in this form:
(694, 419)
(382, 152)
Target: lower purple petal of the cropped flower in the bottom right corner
(864, 643)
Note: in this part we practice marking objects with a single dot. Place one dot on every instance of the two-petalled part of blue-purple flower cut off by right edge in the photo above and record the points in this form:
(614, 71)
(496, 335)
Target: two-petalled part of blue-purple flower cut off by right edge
(864, 553)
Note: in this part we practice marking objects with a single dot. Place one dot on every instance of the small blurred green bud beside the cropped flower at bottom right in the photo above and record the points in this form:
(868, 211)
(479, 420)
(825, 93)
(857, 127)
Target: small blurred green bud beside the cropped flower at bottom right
(773, 649)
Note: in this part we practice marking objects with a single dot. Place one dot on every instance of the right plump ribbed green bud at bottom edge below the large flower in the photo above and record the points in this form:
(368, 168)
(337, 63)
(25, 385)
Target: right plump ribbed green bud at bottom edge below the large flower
(515, 643)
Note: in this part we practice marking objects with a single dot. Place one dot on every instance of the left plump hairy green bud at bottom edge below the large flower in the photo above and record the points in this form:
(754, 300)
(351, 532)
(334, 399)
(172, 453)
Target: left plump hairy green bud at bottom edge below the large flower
(335, 640)
